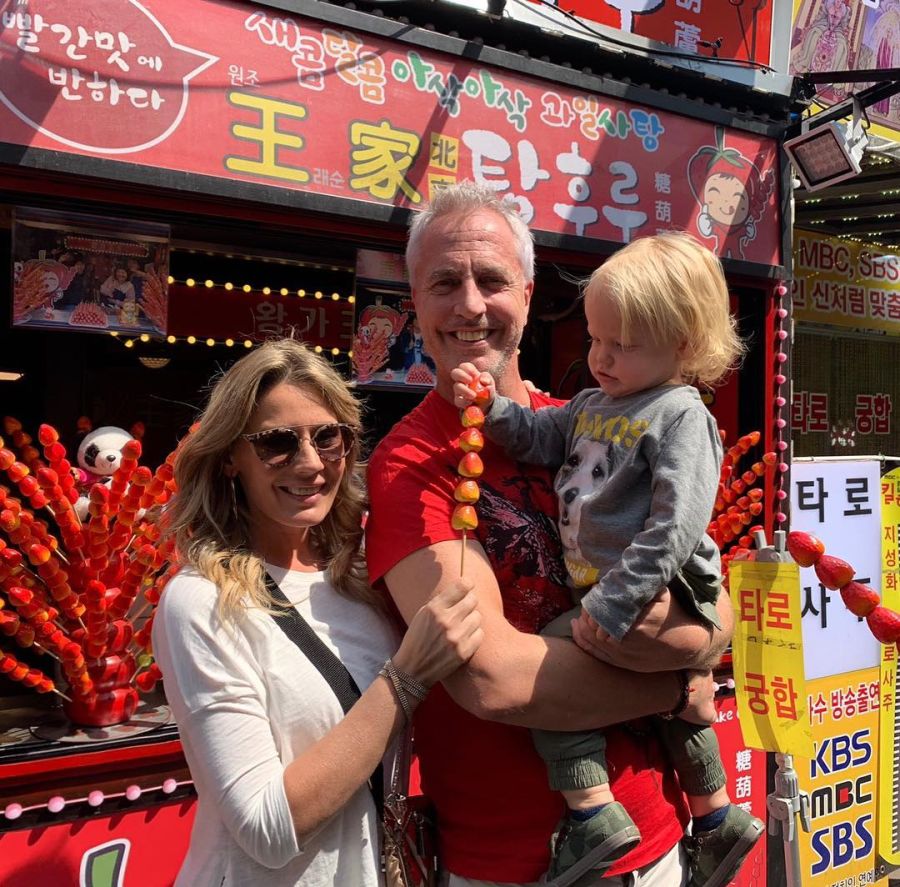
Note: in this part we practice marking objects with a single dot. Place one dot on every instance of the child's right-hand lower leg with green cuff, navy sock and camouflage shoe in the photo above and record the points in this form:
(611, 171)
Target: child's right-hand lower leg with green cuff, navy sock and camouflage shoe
(722, 834)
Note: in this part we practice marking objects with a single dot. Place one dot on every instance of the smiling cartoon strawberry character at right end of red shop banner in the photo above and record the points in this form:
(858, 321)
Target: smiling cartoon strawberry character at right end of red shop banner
(732, 194)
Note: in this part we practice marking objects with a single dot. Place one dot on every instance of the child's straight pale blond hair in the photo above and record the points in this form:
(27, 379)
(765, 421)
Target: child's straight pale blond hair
(672, 288)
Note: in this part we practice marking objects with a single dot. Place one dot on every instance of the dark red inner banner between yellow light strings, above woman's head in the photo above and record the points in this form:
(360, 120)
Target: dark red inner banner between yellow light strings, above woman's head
(219, 314)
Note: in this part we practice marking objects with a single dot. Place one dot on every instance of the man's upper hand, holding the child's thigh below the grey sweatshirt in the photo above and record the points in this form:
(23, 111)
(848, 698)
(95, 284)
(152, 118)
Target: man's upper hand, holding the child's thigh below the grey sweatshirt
(664, 638)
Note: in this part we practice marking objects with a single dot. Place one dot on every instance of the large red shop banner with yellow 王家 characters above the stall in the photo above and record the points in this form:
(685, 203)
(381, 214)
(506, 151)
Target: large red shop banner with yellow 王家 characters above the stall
(225, 90)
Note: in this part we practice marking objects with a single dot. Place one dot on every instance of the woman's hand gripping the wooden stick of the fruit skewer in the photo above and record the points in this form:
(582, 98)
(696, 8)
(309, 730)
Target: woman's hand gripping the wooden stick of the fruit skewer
(443, 634)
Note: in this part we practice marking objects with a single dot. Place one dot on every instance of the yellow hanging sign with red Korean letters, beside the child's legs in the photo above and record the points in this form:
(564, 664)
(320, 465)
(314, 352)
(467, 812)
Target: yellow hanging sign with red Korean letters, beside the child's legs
(768, 656)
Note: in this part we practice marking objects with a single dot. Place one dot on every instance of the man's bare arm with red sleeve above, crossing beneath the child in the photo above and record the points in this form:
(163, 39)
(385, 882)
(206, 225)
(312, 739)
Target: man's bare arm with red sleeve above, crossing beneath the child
(525, 679)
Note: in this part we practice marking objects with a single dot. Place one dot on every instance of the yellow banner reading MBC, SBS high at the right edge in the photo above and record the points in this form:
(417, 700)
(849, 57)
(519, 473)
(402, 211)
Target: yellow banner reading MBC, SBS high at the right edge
(845, 284)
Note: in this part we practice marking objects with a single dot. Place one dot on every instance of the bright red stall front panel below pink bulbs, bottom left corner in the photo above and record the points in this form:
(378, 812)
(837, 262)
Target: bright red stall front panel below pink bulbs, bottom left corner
(157, 842)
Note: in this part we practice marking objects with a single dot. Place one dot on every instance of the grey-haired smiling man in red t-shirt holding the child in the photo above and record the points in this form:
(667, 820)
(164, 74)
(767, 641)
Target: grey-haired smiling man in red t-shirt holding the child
(470, 260)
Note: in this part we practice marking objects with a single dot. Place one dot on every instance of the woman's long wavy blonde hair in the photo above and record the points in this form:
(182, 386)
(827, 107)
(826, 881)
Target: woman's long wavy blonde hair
(208, 516)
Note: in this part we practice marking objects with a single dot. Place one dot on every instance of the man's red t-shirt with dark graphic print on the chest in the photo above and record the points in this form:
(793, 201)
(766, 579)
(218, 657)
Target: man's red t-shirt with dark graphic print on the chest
(495, 810)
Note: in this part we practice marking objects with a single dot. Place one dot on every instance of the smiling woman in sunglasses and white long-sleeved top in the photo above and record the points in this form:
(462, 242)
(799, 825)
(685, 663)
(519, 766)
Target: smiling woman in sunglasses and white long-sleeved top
(269, 482)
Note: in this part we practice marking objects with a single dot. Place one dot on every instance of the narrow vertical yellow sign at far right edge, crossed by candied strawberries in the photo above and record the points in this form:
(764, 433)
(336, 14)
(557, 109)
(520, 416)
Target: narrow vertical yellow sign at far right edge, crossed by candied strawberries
(889, 723)
